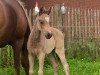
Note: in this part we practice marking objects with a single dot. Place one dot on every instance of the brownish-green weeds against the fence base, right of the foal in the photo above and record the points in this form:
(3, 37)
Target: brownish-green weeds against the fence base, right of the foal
(88, 49)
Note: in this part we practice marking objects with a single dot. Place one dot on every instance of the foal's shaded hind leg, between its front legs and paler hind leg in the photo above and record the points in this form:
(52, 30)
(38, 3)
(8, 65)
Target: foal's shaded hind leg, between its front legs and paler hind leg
(54, 63)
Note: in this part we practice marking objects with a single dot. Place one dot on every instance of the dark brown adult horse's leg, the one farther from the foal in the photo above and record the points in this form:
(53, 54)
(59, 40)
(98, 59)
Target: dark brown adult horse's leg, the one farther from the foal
(17, 50)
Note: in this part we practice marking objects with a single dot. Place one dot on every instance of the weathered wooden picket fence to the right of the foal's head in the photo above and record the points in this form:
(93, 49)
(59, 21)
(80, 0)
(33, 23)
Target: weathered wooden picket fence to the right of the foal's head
(77, 22)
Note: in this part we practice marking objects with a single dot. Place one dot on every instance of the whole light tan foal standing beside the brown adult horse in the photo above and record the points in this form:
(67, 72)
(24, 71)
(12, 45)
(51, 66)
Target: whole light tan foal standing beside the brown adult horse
(43, 39)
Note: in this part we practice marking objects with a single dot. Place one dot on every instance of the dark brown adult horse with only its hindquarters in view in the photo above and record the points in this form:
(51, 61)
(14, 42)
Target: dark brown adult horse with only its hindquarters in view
(14, 31)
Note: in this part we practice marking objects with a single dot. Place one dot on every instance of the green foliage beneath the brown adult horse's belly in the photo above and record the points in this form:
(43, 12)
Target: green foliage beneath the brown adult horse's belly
(6, 56)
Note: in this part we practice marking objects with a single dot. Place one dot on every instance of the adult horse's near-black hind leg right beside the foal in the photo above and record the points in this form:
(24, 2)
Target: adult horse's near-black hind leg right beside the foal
(24, 53)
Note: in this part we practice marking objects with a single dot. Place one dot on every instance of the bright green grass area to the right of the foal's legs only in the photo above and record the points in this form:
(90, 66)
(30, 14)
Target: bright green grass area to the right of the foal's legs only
(84, 67)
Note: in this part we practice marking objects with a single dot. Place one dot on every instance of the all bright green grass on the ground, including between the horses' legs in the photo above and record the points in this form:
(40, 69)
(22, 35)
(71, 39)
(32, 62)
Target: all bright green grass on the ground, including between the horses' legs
(77, 67)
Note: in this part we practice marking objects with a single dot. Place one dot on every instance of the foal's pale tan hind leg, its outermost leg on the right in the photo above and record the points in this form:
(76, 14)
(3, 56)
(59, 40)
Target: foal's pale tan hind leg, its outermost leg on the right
(61, 54)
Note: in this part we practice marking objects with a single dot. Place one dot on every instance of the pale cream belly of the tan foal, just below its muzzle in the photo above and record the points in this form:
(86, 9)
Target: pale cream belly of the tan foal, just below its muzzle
(49, 45)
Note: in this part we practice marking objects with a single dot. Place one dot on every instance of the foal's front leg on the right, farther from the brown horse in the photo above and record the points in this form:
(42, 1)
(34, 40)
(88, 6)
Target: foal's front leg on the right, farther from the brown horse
(41, 63)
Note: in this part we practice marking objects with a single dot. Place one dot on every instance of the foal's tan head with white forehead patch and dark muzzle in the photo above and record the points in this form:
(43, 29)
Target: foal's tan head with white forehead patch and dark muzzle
(42, 23)
